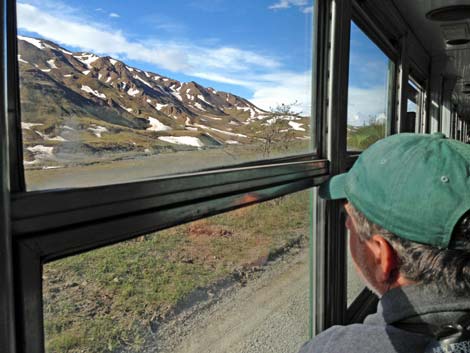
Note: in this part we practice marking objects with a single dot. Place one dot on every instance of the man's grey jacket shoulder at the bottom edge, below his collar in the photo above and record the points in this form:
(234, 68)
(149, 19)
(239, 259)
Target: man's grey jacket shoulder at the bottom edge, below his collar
(362, 338)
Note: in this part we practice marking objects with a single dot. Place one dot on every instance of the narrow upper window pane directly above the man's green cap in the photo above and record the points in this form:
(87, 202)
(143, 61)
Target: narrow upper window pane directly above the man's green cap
(369, 91)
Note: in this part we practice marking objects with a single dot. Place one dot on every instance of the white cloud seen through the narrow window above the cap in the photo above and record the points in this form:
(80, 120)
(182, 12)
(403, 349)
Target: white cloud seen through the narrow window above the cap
(365, 104)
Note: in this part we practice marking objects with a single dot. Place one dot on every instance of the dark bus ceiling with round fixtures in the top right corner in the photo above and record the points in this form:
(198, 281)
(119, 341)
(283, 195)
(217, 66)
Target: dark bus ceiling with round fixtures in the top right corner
(442, 29)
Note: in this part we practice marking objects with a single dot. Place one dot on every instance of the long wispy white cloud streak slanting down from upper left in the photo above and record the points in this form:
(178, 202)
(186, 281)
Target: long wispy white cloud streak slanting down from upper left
(166, 54)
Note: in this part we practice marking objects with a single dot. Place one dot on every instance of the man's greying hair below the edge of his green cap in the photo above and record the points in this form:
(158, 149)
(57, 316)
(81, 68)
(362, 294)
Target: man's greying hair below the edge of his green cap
(447, 268)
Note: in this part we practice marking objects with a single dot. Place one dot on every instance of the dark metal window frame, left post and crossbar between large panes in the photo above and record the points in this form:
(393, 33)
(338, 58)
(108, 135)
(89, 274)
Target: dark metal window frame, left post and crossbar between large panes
(98, 216)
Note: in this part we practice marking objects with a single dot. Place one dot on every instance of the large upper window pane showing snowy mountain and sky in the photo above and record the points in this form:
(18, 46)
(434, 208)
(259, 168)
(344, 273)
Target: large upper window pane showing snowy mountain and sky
(117, 92)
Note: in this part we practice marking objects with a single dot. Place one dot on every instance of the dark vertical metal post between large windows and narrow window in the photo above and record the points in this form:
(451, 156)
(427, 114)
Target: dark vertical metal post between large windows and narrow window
(331, 102)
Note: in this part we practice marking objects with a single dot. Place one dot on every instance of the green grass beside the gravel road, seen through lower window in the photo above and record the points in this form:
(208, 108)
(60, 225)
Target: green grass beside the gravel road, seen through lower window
(107, 300)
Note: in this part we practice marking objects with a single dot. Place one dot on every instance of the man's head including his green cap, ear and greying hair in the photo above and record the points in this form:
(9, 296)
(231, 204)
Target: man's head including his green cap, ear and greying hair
(408, 212)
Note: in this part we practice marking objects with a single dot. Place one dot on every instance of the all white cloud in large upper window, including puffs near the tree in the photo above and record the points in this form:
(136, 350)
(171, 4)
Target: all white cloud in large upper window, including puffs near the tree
(261, 74)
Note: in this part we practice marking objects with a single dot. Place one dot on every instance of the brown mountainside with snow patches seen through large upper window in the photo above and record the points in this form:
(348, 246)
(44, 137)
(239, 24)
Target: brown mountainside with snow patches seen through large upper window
(77, 104)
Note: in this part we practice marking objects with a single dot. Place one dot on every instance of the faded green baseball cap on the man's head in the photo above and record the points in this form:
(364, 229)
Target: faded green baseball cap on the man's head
(415, 186)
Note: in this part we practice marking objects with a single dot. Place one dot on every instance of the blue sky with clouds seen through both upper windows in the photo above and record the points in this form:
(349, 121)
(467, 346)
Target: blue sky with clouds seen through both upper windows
(260, 50)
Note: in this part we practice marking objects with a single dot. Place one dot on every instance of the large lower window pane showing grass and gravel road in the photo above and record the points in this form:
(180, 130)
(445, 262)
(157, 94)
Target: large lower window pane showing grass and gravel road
(237, 282)
